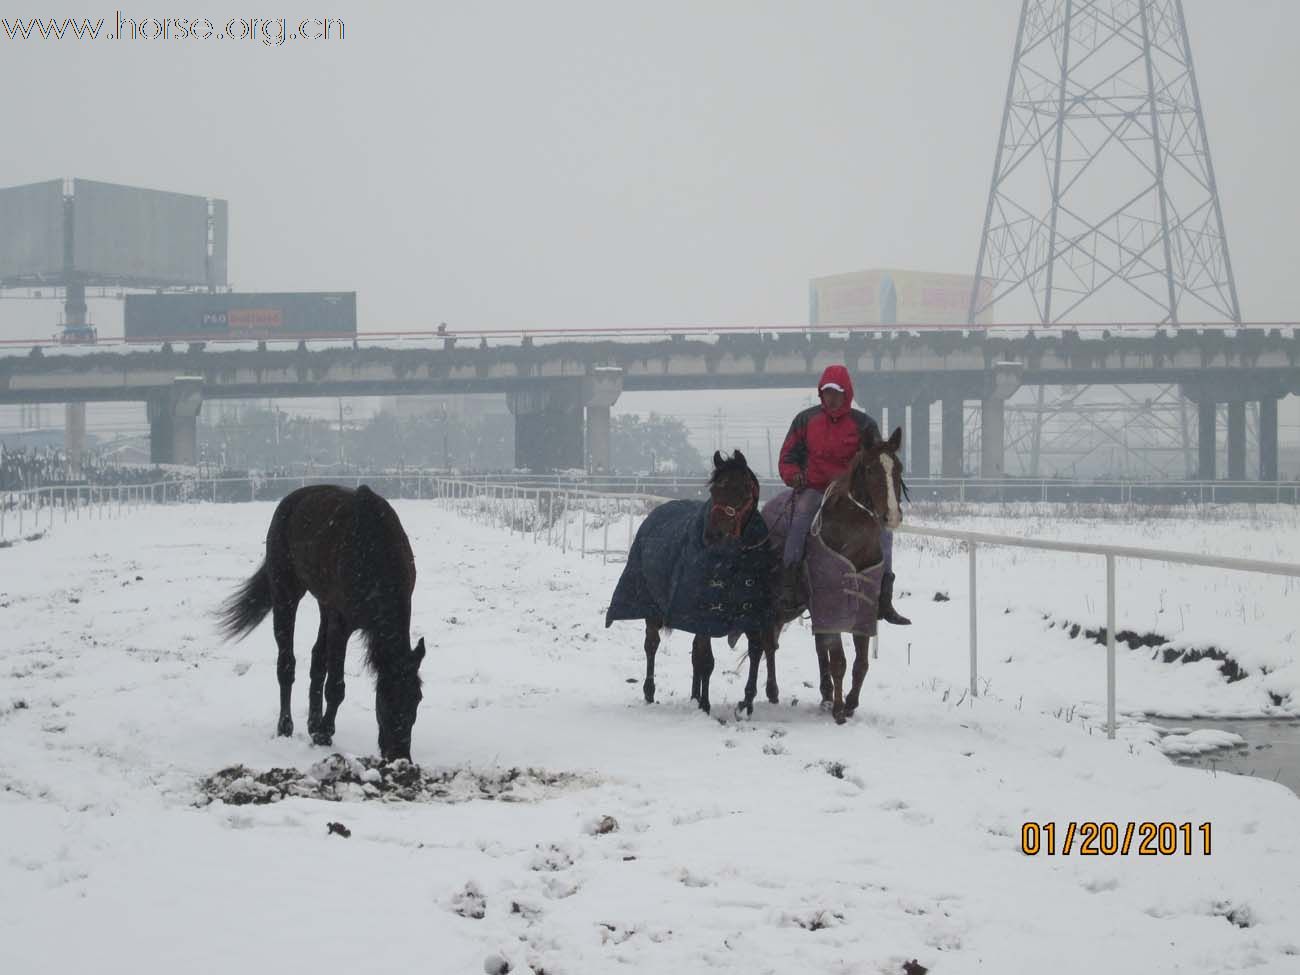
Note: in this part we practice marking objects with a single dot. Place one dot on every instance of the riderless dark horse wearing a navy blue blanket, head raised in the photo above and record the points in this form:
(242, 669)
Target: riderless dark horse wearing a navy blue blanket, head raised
(701, 567)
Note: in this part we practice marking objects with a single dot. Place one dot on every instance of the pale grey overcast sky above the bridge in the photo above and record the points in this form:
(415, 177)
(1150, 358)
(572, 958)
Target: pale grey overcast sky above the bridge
(601, 164)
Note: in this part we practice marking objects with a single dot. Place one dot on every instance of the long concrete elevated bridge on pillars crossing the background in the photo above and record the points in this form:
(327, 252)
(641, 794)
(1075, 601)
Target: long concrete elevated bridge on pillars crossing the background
(561, 385)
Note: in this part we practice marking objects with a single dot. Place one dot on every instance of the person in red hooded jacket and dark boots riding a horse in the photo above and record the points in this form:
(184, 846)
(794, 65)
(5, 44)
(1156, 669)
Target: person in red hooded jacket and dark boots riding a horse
(817, 450)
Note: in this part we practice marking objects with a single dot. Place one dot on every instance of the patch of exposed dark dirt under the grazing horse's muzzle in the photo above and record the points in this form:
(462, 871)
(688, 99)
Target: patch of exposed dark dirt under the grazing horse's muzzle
(339, 779)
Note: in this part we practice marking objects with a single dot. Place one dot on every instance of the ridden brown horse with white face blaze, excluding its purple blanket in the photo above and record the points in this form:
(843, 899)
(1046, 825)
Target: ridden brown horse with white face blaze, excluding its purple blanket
(855, 512)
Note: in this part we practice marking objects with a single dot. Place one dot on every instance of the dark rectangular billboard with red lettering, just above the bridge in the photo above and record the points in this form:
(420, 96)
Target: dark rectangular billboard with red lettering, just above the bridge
(241, 315)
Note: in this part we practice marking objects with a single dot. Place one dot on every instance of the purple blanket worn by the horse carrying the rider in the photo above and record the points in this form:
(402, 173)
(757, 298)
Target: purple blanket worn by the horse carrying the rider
(842, 600)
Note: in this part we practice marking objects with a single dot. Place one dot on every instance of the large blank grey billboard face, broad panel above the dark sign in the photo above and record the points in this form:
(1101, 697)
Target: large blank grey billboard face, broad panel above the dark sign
(128, 235)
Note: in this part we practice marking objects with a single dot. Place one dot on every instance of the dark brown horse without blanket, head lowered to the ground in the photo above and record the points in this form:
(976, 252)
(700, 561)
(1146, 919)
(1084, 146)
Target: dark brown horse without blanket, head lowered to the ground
(349, 551)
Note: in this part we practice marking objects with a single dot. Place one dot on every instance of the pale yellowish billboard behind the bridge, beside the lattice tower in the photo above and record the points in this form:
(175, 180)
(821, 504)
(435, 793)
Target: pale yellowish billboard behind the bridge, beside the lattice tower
(895, 298)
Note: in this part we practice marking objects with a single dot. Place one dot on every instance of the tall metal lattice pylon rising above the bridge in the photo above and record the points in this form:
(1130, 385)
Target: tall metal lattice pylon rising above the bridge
(1104, 202)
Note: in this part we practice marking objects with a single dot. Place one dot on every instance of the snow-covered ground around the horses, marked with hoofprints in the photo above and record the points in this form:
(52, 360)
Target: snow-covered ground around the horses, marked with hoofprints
(773, 846)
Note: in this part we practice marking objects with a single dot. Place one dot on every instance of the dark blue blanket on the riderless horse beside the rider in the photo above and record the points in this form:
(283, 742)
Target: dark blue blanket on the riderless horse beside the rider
(710, 590)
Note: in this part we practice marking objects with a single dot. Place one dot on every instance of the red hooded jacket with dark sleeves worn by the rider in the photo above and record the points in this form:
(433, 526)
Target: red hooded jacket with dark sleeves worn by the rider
(822, 444)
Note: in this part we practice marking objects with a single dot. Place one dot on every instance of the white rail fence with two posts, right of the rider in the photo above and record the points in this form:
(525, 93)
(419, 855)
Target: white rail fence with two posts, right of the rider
(1111, 553)
